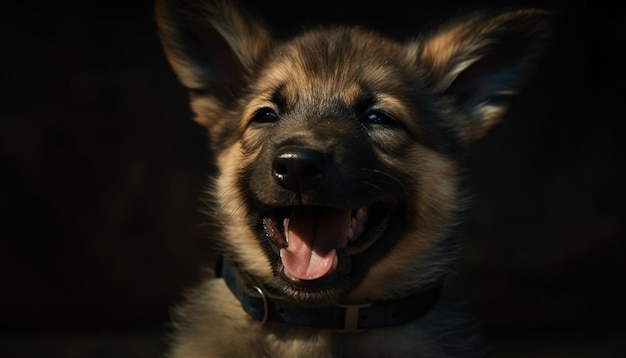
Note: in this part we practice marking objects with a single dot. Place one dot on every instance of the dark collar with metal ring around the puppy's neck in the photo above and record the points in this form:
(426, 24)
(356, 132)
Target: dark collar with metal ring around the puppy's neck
(255, 301)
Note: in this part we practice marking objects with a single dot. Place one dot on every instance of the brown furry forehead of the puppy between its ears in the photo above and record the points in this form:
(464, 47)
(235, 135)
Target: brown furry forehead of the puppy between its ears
(340, 63)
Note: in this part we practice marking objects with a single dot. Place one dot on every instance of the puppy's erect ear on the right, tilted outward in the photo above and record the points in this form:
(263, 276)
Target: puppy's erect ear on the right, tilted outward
(480, 62)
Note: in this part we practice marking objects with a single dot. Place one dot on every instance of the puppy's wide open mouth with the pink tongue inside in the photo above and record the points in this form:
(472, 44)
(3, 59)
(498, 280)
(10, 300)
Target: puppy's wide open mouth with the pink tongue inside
(315, 243)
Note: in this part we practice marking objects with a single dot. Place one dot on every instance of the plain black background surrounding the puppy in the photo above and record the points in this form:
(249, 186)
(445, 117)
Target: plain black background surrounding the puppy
(101, 166)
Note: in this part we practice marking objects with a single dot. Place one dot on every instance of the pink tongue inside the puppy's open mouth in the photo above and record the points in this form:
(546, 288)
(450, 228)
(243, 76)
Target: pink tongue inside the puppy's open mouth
(314, 234)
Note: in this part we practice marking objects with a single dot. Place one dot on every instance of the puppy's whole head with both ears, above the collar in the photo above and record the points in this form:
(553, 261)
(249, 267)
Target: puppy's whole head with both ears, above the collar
(340, 151)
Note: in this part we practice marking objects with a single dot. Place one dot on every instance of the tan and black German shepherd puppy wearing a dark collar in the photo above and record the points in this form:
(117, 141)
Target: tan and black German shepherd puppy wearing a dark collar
(340, 182)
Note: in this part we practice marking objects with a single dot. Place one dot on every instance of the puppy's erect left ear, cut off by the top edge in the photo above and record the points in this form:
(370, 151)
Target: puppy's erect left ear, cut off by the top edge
(212, 46)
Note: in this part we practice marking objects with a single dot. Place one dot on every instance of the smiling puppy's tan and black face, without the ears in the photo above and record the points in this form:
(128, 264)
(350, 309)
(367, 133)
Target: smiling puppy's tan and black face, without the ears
(340, 181)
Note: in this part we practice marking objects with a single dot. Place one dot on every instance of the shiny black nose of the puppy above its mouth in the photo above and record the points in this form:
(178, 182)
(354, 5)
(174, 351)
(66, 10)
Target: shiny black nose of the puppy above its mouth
(298, 169)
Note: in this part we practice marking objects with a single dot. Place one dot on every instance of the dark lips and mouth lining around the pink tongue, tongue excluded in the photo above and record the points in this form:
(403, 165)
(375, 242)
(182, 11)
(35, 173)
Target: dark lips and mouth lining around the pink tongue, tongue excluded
(368, 223)
